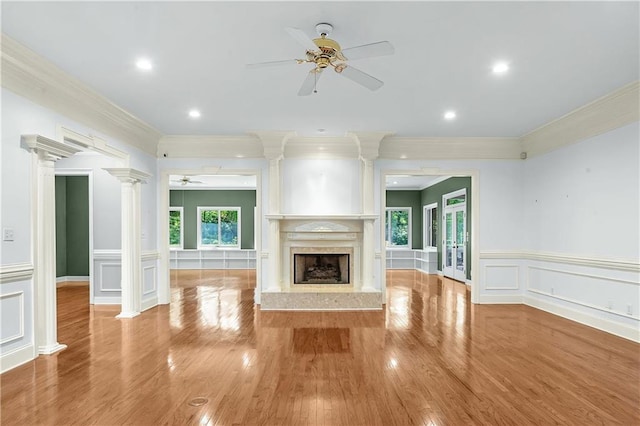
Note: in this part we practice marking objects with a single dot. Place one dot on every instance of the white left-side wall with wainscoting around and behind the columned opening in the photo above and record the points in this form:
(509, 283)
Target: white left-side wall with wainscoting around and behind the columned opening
(20, 117)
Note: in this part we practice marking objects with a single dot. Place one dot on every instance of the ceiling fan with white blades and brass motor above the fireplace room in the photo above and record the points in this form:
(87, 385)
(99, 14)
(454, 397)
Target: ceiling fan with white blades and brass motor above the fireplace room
(324, 52)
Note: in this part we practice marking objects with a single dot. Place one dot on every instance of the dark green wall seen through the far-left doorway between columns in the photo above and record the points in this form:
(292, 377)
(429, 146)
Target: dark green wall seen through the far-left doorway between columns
(72, 226)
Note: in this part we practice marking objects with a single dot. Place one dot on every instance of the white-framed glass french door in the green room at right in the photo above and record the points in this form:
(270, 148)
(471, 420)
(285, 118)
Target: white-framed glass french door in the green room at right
(454, 262)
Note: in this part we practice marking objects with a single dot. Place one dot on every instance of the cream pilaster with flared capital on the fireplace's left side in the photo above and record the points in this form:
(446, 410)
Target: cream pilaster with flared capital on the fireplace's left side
(273, 148)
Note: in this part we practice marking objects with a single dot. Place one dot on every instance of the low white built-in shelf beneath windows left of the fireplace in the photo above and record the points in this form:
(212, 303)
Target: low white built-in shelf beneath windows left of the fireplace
(212, 259)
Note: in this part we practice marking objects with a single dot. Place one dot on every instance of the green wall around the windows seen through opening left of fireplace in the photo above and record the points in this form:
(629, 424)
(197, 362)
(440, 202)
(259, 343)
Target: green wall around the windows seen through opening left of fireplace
(190, 200)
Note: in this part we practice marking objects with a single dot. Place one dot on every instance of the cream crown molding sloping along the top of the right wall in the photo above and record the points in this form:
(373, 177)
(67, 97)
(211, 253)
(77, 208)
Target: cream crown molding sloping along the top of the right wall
(616, 109)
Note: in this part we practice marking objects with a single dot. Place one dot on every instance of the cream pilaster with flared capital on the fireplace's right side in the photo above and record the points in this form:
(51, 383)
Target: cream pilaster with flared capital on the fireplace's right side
(368, 145)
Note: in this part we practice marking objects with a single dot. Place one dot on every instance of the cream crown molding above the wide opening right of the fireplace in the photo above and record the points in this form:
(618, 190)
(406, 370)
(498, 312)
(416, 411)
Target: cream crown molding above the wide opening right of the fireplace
(401, 148)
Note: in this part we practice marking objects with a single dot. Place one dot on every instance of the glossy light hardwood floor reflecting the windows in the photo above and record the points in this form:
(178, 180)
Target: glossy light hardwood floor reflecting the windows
(430, 358)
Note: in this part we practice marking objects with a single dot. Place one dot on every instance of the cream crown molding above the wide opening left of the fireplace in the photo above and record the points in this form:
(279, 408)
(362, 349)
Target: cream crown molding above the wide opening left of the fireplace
(197, 146)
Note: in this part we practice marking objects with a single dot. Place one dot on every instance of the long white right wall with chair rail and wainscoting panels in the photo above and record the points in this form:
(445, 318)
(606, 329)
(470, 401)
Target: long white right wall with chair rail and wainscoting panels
(582, 231)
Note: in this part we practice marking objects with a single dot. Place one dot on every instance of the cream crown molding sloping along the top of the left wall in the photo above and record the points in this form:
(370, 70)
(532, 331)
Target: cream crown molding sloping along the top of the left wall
(29, 75)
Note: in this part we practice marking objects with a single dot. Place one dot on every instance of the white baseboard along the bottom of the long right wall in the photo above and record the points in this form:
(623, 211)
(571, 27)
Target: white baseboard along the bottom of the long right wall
(582, 317)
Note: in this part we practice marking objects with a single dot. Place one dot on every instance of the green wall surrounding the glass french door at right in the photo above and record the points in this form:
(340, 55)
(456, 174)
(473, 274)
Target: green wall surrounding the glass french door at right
(433, 194)
